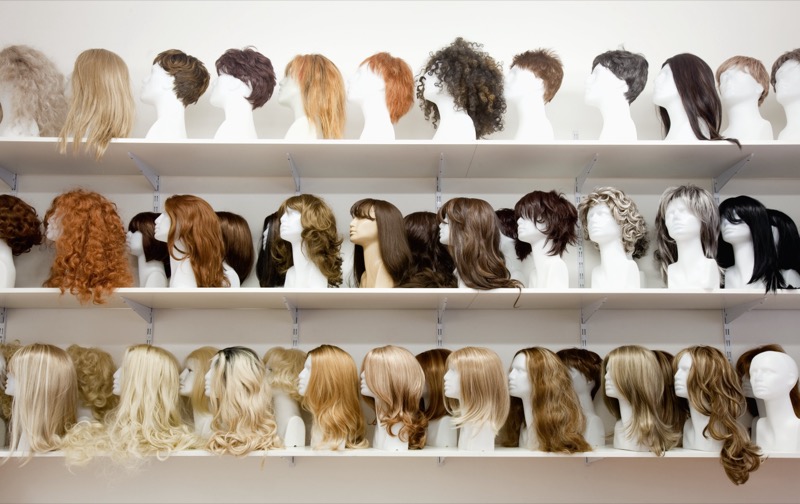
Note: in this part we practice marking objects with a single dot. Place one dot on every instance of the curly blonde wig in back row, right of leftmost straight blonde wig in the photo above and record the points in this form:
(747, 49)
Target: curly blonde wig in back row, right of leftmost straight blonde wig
(95, 370)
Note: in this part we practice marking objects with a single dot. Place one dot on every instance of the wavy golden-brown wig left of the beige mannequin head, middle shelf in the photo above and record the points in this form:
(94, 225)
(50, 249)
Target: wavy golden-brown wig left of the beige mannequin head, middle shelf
(320, 239)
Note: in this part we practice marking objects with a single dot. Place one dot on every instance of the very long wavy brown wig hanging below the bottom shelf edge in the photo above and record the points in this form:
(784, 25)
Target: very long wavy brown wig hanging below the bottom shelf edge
(715, 392)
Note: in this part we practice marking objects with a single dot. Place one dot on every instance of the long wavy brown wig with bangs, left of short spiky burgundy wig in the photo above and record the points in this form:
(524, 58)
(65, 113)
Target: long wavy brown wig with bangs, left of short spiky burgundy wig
(475, 244)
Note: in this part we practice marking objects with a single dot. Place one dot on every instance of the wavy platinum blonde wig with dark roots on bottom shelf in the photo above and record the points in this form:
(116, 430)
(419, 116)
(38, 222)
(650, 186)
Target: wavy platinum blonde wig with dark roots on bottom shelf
(241, 401)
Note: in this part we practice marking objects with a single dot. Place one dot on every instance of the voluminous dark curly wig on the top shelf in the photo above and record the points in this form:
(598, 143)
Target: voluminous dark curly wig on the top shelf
(474, 80)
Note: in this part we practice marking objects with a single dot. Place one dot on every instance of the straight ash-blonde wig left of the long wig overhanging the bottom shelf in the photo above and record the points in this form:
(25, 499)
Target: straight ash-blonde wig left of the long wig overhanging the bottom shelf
(638, 378)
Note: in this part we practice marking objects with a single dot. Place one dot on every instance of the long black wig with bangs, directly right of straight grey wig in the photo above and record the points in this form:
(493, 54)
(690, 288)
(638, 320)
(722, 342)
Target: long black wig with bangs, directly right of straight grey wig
(750, 211)
